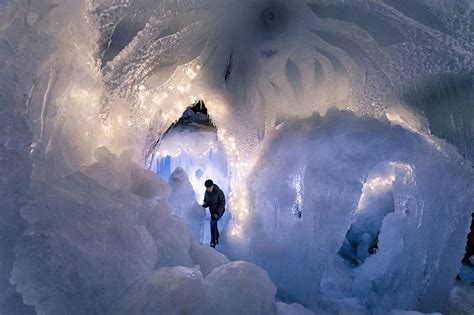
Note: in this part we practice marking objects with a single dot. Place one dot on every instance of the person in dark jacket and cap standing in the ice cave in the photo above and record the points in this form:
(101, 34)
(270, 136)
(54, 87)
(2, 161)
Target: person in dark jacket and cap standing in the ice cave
(214, 199)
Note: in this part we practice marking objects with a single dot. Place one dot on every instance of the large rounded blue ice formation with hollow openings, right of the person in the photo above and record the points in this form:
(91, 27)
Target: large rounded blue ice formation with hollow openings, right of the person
(348, 173)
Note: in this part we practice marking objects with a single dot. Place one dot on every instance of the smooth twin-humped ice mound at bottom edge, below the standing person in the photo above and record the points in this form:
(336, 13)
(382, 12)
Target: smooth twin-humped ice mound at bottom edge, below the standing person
(233, 288)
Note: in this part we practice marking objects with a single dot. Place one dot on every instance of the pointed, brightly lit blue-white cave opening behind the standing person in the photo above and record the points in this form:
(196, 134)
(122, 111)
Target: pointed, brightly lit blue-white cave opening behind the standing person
(188, 154)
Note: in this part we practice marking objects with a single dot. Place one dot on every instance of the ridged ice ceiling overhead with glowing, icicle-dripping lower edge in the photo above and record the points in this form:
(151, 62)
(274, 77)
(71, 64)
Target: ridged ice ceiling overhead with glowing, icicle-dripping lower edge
(267, 61)
